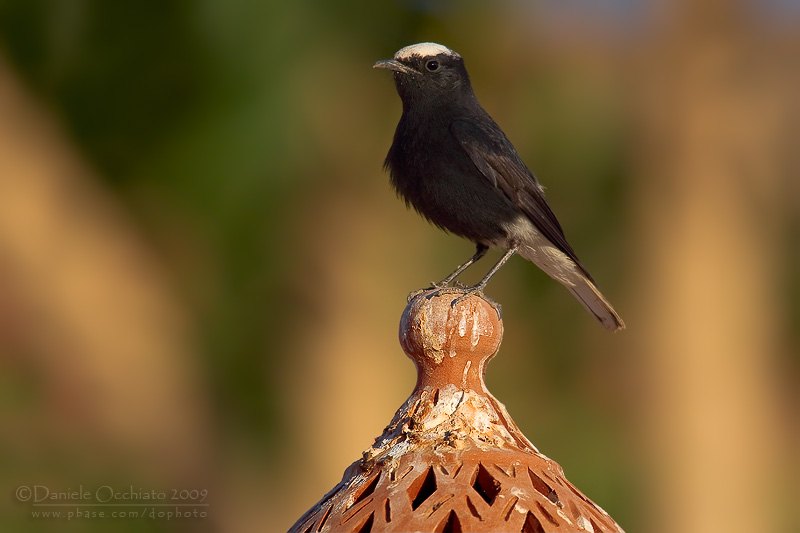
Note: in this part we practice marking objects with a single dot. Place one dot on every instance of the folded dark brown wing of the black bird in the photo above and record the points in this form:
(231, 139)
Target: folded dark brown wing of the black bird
(495, 157)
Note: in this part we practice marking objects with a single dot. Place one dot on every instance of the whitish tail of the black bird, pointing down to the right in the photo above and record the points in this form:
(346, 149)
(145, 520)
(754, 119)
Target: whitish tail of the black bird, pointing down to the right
(562, 269)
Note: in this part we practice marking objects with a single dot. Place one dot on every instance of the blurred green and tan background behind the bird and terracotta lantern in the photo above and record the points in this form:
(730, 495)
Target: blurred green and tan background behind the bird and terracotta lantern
(202, 264)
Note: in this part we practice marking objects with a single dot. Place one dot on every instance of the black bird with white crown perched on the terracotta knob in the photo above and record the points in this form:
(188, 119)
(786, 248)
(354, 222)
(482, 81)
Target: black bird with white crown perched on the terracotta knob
(453, 164)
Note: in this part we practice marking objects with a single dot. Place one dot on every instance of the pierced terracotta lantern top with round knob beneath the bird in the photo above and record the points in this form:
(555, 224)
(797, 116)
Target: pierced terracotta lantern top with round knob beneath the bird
(452, 459)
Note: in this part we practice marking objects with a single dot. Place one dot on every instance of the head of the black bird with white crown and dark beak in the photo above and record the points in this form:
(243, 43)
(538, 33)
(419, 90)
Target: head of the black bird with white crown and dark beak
(428, 72)
